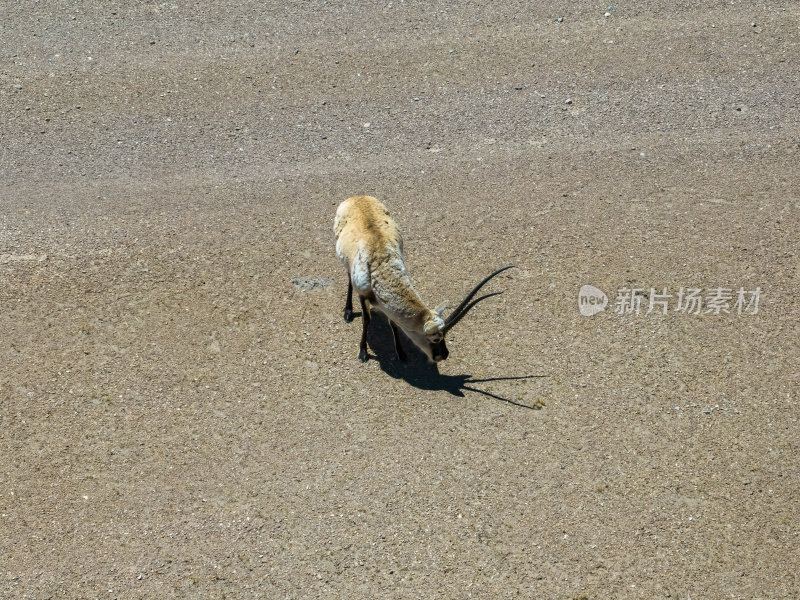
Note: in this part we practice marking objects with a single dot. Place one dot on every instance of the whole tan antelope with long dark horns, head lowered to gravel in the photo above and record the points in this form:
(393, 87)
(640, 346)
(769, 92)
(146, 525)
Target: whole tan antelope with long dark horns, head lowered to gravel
(370, 246)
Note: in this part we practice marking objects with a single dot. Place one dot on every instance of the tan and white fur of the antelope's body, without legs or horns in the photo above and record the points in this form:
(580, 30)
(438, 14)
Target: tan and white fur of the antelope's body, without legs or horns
(369, 244)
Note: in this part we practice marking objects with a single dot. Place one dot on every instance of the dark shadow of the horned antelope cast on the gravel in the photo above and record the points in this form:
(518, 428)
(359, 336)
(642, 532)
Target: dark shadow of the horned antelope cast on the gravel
(418, 371)
